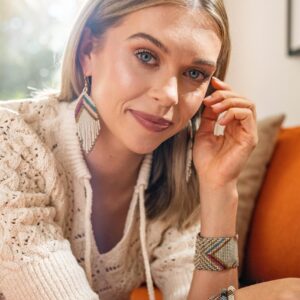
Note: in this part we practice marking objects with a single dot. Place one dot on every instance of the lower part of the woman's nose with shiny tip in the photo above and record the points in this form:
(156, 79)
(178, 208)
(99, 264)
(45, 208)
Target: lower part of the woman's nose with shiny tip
(166, 93)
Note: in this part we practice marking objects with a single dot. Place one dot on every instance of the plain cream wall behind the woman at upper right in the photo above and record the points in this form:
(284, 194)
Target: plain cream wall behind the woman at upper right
(260, 68)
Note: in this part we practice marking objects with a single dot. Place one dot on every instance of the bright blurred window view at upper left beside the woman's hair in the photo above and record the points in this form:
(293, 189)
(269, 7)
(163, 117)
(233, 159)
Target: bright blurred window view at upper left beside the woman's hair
(32, 37)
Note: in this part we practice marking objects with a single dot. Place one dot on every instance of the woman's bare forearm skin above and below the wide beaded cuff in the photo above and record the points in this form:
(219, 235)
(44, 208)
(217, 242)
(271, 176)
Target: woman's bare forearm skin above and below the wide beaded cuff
(218, 219)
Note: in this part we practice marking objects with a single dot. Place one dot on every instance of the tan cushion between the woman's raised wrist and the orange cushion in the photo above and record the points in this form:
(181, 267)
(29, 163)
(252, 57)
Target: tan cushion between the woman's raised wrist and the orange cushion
(252, 175)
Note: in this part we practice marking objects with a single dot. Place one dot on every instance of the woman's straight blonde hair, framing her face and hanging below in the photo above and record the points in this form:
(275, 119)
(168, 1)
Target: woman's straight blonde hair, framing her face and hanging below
(168, 196)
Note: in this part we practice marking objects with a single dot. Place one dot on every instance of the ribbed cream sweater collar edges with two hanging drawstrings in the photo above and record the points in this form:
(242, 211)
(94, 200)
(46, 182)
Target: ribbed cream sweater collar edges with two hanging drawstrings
(76, 164)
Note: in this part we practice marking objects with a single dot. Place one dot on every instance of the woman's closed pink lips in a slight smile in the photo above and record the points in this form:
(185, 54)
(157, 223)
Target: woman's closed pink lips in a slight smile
(151, 122)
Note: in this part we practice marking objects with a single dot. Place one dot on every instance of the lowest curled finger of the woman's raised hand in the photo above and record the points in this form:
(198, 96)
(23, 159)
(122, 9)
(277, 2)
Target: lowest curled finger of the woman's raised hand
(243, 115)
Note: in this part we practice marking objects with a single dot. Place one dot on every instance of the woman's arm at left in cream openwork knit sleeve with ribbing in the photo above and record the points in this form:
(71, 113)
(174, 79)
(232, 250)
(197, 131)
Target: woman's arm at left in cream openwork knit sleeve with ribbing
(36, 262)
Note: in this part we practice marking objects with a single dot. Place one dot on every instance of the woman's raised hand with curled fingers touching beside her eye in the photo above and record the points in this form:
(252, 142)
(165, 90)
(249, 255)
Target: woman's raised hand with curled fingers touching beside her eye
(220, 159)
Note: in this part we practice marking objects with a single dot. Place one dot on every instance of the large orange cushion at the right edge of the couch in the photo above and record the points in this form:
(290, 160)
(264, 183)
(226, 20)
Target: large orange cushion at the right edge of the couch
(273, 249)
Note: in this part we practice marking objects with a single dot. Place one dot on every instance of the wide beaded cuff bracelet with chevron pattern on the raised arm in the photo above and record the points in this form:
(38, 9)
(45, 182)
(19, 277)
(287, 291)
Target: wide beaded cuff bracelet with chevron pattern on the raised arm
(216, 253)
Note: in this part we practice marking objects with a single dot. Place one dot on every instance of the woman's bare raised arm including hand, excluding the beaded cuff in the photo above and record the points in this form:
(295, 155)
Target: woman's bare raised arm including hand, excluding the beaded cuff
(218, 161)
